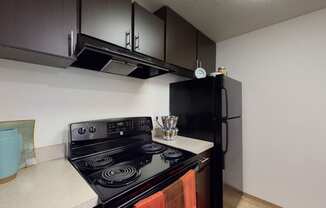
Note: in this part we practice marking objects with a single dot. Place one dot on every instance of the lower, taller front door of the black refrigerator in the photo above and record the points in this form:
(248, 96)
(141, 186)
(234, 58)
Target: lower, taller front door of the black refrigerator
(233, 164)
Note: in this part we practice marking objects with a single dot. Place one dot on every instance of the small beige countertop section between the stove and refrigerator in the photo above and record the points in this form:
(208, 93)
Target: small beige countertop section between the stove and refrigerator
(189, 144)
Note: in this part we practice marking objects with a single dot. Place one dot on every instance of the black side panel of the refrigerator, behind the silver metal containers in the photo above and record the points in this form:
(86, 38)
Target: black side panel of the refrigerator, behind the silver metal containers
(193, 102)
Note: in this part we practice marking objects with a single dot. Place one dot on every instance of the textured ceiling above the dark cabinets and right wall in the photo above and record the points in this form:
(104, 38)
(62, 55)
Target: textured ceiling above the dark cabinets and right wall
(223, 19)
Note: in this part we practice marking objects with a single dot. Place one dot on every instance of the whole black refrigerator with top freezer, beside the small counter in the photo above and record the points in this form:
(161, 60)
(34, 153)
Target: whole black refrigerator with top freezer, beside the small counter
(210, 109)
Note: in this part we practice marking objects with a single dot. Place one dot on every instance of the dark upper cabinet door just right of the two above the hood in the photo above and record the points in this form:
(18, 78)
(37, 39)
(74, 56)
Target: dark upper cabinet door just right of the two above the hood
(180, 48)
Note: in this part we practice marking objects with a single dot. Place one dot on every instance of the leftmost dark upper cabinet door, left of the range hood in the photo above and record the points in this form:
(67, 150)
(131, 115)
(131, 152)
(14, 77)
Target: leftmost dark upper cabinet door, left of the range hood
(38, 25)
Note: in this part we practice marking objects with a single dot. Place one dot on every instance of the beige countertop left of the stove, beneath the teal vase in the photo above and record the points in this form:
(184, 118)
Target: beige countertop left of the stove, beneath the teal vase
(50, 184)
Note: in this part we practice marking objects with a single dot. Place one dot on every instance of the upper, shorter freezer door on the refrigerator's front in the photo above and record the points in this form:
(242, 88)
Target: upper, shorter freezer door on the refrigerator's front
(231, 98)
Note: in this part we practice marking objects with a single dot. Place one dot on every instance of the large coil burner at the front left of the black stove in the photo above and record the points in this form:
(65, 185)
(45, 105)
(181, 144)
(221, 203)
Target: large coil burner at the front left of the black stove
(118, 175)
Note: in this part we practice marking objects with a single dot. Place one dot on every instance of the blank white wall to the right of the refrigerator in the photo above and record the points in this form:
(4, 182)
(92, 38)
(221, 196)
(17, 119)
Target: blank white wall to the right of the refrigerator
(283, 70)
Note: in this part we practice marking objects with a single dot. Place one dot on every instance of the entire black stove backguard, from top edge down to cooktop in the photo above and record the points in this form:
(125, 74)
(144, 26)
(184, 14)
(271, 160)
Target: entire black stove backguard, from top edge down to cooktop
(91, 137)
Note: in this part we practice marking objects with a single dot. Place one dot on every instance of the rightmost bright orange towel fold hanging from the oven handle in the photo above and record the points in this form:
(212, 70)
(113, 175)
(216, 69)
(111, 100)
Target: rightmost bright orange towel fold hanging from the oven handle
(189, 189)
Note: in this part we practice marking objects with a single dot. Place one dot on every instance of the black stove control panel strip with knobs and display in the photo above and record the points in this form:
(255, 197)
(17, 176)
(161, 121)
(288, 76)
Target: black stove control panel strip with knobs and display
(110, 128)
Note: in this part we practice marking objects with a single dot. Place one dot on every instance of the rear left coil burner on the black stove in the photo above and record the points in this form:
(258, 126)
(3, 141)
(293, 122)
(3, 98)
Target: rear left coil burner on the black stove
(95, 162)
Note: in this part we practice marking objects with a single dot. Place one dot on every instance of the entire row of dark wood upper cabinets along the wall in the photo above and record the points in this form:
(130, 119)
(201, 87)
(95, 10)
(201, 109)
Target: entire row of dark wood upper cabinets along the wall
(45, 32)
